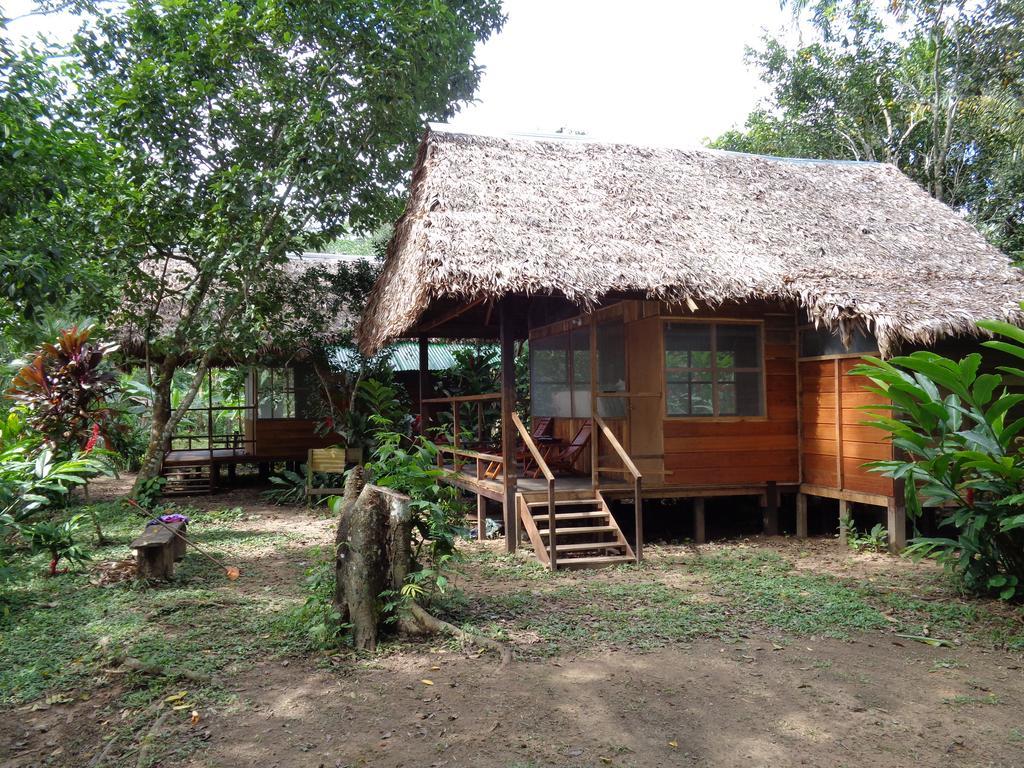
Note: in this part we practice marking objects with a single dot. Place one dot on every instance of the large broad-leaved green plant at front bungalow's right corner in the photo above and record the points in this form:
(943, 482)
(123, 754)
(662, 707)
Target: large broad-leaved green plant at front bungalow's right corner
(961, 454)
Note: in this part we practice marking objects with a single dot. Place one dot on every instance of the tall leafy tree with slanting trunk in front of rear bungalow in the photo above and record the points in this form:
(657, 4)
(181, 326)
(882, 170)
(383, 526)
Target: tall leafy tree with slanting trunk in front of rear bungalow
(244, 133)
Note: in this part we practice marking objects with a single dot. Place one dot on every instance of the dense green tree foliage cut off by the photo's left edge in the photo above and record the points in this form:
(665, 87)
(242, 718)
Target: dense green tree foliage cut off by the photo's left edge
(51, 161)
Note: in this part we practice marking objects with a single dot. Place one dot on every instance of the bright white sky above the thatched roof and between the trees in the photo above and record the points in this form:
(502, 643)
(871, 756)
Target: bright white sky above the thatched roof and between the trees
(648, 71)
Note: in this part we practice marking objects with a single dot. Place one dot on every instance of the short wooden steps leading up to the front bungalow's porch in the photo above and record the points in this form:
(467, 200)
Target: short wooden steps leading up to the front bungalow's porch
(586, 533)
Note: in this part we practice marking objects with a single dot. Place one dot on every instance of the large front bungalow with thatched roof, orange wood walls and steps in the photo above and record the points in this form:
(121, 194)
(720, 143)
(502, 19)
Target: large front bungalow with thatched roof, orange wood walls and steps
(700, 311)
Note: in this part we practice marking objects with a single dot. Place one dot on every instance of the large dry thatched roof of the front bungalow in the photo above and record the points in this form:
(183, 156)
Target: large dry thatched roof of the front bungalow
(855, 244)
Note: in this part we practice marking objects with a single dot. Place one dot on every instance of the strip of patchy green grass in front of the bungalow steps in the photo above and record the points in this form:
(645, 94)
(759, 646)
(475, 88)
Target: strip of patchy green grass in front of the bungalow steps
(736, 593)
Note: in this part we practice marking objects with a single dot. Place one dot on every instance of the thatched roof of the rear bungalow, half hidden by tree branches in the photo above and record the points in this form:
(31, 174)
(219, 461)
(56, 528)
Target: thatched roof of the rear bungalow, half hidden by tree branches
(296, 283)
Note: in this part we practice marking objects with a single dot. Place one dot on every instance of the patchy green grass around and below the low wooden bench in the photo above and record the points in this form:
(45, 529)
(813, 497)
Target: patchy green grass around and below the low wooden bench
(66, 634)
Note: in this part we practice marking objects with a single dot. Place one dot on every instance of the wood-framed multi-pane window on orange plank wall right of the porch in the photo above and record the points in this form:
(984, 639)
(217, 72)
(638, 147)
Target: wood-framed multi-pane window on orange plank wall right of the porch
(713, 369)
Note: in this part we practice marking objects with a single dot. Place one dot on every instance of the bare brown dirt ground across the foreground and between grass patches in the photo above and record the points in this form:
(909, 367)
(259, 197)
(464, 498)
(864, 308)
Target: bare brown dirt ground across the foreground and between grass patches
(772, 699)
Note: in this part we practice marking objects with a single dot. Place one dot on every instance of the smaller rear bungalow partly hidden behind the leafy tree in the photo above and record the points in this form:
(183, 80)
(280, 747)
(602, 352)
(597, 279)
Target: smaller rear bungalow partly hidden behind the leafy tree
(260, 409)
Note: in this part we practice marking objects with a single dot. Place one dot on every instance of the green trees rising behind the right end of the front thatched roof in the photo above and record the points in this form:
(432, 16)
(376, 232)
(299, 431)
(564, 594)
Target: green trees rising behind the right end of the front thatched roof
(931, 87)
